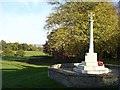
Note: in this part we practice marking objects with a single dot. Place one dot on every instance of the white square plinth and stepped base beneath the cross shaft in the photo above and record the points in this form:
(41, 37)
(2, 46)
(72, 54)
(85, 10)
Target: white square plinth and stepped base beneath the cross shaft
(90, 65)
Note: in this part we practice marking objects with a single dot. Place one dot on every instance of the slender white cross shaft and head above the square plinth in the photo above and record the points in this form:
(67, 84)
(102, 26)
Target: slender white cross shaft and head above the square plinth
(91, 47)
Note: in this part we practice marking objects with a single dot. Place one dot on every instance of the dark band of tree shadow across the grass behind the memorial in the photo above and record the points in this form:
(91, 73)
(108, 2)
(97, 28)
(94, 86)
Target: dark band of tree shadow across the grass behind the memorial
(49, 60)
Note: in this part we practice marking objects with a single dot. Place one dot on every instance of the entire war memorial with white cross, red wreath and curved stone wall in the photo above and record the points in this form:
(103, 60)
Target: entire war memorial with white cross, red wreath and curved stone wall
(90, 73)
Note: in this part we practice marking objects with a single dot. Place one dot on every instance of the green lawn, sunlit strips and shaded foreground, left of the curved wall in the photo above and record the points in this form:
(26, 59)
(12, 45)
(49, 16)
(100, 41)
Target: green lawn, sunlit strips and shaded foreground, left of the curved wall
(16, 74)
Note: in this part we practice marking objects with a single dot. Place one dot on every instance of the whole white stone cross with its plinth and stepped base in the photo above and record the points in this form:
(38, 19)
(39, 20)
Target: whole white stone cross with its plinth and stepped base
(90, 65)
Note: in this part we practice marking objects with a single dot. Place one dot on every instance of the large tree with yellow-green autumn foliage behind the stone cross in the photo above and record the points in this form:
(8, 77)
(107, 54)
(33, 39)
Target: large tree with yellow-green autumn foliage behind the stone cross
(70, 27)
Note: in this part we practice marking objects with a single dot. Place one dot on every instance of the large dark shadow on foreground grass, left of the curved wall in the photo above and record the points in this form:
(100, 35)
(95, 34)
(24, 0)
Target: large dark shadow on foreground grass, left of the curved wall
(28, 77)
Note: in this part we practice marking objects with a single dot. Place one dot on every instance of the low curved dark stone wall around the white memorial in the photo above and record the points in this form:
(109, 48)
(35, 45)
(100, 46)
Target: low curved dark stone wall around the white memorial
(70, 78)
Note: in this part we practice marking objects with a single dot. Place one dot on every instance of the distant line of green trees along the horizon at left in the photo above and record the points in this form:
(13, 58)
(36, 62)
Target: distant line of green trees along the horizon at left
(9, 48)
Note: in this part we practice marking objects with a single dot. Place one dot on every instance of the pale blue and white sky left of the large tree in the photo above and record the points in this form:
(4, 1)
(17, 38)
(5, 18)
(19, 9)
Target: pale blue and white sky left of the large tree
(23, 20)
